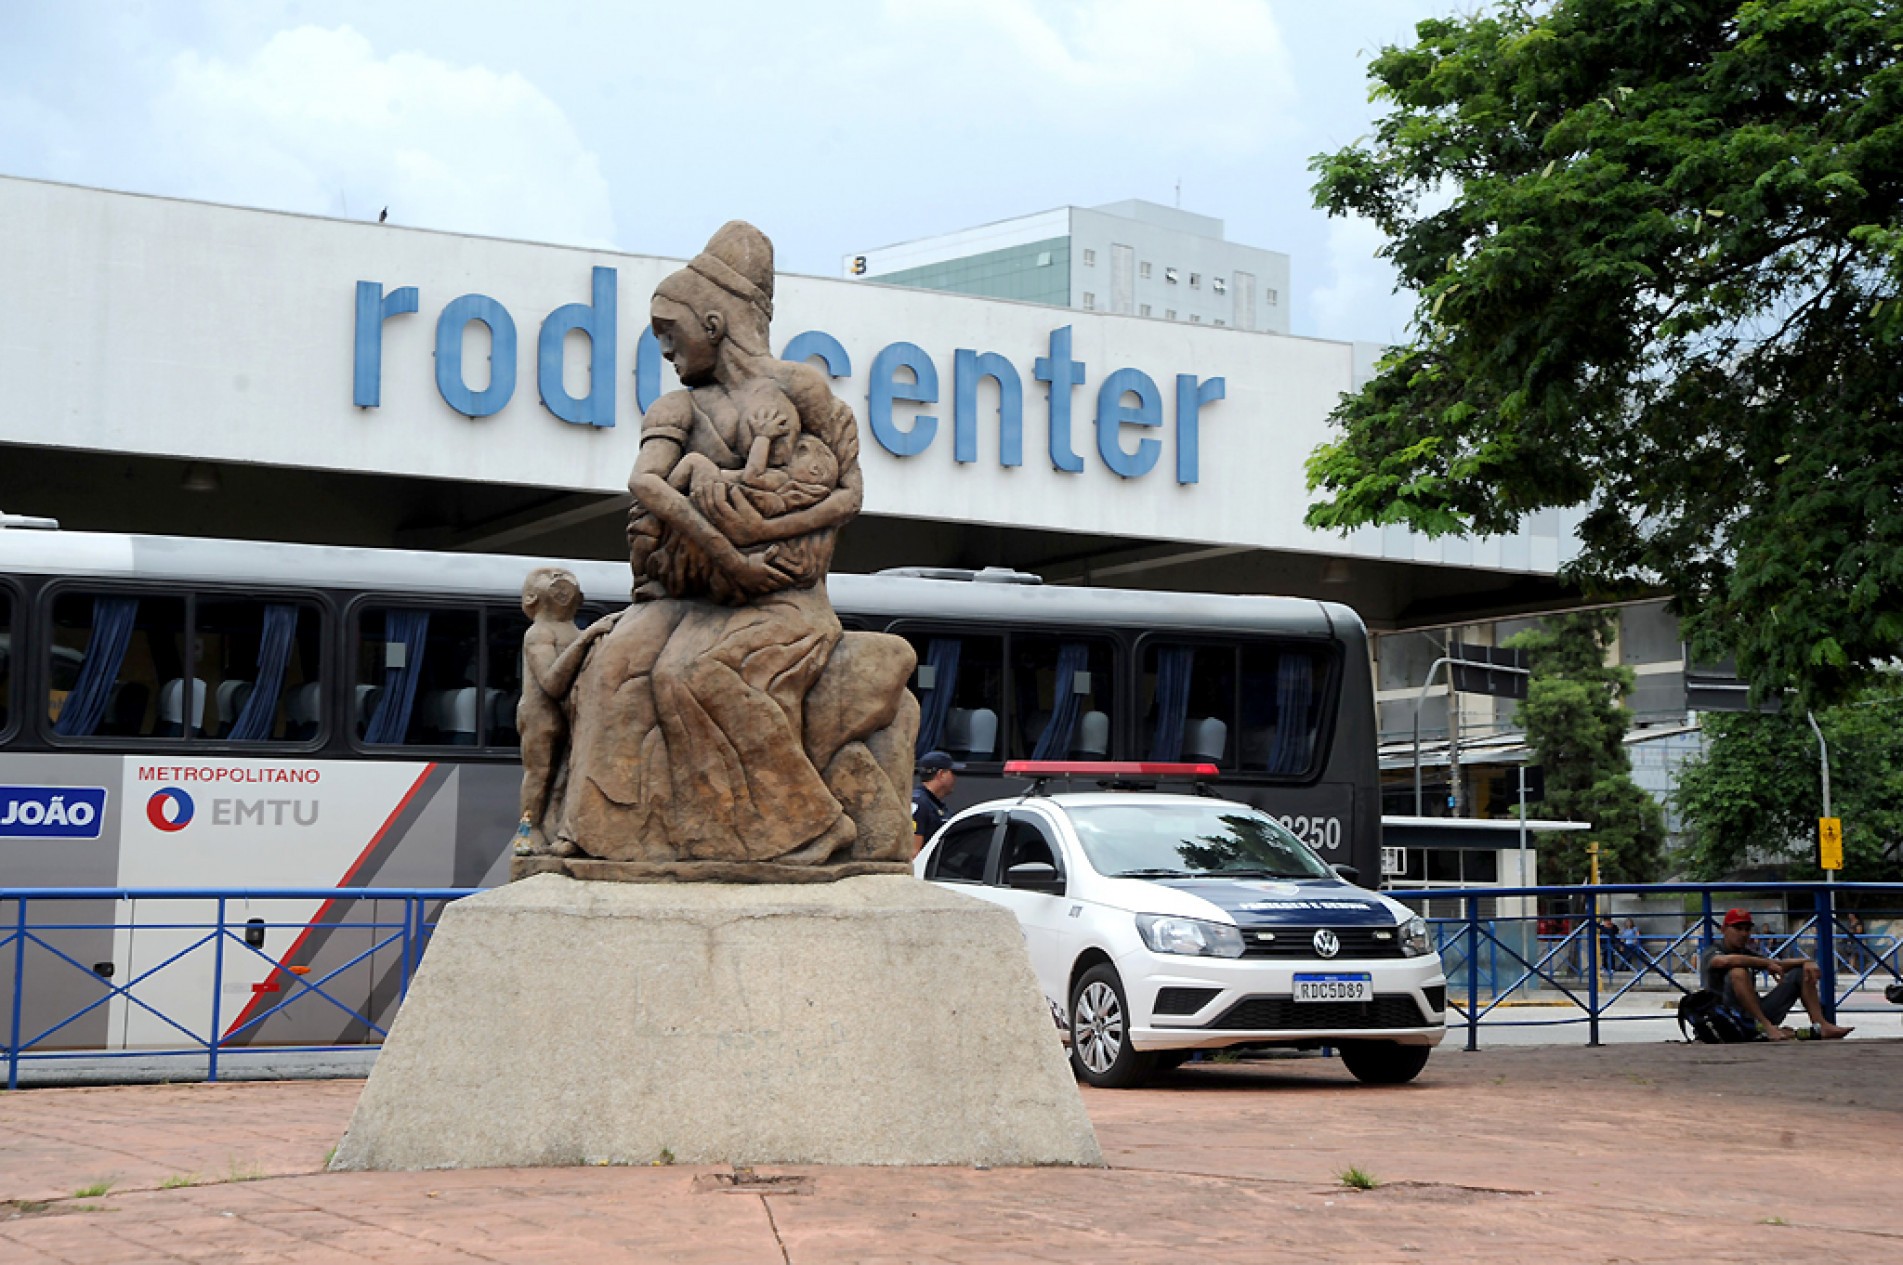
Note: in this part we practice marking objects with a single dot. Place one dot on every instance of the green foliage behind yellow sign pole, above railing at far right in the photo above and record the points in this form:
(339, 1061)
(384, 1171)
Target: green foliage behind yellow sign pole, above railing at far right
(1756, 796)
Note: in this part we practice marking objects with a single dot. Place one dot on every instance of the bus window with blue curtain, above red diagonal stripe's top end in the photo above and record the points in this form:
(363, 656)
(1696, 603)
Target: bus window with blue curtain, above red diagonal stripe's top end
(416, 680)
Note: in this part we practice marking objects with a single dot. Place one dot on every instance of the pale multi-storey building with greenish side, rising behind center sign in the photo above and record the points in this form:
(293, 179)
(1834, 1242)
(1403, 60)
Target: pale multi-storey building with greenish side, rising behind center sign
(1128, 258)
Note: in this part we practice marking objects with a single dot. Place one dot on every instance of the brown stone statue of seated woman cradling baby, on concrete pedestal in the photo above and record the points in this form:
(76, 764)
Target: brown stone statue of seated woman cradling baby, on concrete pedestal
(724, 726)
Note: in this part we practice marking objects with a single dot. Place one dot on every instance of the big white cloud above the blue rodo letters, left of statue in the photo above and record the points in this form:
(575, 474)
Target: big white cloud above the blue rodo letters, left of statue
(315, 121)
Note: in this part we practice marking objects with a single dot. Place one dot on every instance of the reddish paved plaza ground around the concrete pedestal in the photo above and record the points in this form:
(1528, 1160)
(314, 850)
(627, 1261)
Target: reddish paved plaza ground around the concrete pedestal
(1626, 1154)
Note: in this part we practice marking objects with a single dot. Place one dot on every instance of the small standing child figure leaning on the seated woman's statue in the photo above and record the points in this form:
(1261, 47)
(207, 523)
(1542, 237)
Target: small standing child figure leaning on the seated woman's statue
(553, 652)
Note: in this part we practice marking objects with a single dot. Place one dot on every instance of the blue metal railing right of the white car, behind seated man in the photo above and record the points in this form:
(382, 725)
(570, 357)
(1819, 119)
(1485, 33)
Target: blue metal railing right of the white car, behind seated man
(1497, 963)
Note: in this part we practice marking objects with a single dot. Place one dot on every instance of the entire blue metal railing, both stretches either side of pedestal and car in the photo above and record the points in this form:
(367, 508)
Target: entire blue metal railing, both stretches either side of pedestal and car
(136, 973)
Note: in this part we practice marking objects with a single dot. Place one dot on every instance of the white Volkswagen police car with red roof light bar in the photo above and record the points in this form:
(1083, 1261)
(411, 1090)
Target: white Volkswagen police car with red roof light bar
(1164, 924)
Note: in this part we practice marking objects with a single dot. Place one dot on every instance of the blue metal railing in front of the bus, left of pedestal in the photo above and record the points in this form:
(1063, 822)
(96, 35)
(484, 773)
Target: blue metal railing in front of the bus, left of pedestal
(363, 948)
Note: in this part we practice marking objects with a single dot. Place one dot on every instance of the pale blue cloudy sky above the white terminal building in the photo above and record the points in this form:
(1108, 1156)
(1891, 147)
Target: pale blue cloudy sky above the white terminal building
(836, 125)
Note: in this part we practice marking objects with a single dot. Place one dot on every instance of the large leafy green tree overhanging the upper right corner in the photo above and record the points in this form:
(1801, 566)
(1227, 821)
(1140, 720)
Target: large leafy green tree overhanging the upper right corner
(1658, 258)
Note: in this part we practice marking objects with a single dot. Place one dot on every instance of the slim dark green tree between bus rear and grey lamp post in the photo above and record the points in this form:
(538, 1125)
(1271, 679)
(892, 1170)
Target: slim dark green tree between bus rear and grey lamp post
(1577, 718)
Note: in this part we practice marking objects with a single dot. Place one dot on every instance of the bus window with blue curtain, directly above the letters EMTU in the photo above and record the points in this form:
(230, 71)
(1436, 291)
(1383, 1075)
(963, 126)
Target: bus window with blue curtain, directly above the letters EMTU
(260, 669)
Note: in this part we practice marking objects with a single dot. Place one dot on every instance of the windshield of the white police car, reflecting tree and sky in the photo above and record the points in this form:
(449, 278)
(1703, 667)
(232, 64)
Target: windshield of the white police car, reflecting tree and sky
(1190, 838)
